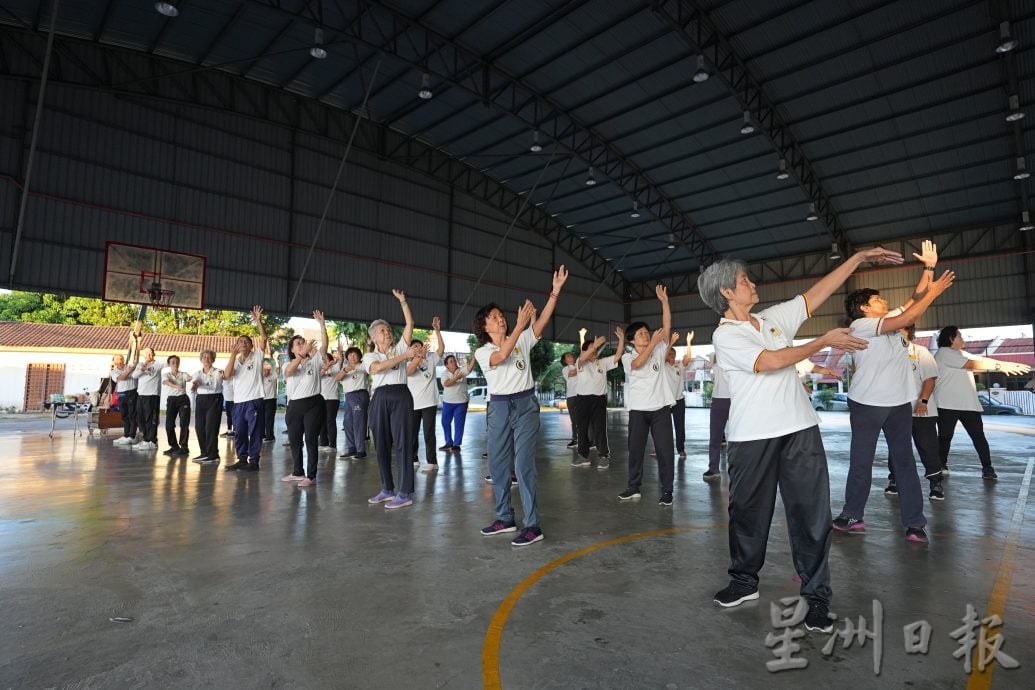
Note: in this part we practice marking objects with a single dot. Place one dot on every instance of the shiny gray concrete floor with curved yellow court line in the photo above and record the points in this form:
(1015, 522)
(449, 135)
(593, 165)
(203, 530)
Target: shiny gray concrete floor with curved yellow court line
(247, 582)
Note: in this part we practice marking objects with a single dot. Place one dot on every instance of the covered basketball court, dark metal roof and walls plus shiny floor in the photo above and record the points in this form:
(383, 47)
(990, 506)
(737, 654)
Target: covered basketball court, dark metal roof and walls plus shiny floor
(319, 154)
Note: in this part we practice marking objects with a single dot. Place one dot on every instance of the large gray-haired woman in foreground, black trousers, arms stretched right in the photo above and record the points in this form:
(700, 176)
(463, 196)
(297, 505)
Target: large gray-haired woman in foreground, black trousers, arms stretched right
(774, 437)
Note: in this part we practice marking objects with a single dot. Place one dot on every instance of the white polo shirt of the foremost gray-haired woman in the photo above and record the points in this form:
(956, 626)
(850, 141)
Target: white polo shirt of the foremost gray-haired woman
(765, 405)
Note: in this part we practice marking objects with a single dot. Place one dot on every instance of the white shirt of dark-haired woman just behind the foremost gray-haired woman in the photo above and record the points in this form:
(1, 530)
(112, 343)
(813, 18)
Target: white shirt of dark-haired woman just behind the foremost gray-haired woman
(883, 373)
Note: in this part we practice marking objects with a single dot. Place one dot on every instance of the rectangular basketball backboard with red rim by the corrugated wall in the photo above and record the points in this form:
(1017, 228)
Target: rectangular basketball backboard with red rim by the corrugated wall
(160, 278)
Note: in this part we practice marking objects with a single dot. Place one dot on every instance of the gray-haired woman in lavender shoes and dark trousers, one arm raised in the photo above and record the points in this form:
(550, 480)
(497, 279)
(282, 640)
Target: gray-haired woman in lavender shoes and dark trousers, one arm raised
(392, 407)
